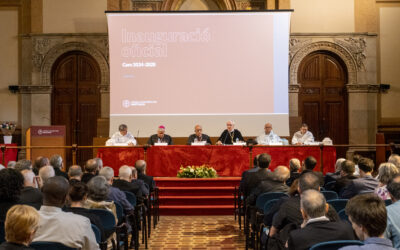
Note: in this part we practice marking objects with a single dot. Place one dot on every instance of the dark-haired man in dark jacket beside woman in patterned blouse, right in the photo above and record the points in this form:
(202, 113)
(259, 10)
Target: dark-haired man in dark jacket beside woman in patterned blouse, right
(366, 183)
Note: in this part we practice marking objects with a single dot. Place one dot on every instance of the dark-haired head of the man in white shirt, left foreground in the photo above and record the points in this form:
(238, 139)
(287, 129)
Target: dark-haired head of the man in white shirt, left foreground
(55, 191)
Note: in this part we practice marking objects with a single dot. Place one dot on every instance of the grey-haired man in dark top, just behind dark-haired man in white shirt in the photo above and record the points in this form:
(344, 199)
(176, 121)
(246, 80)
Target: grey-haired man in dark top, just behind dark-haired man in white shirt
(30, 194)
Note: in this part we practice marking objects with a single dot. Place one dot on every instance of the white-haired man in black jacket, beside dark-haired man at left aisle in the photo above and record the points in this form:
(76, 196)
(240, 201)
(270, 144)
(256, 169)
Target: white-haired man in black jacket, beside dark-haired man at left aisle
(124, 183)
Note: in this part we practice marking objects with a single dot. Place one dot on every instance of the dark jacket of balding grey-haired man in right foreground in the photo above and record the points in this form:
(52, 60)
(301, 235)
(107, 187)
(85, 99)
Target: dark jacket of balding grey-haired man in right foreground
(319, 231)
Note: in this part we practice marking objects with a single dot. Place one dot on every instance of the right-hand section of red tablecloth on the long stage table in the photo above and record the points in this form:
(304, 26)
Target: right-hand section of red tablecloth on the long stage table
(281, 155)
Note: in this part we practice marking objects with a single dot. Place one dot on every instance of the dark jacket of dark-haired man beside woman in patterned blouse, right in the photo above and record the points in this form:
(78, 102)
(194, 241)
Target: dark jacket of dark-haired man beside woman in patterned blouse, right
(360, 185)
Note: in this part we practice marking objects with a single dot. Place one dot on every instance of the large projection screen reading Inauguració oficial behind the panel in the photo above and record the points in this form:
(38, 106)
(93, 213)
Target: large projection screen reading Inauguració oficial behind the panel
(179, 69)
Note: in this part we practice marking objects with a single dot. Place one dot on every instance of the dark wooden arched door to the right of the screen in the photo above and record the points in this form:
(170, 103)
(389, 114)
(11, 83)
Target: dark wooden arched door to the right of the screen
(322, 77)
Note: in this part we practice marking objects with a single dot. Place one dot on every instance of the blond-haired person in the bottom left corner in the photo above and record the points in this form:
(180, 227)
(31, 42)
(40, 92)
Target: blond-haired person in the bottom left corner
(20, 226)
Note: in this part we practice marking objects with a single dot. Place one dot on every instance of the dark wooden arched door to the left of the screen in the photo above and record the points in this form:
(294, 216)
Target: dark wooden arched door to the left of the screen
(75, 77)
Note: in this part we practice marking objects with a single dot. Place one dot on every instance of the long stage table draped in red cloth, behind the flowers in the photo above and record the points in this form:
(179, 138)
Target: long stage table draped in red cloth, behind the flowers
(165, 161)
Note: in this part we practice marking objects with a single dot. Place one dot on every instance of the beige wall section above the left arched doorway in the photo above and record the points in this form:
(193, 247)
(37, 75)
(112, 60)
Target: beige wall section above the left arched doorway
(74, 16)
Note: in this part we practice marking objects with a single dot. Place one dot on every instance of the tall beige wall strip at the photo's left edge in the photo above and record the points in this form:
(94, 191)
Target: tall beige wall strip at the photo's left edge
(8, 64)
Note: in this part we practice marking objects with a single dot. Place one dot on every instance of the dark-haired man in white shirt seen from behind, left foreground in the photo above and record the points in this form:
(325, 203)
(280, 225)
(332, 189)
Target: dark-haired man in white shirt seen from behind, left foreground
(55, 225)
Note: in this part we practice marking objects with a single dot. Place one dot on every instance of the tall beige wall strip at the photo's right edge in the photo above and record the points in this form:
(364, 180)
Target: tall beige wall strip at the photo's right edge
(390, 59)
